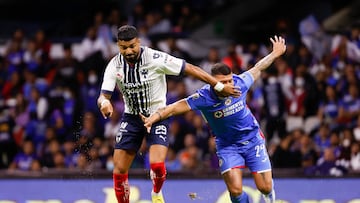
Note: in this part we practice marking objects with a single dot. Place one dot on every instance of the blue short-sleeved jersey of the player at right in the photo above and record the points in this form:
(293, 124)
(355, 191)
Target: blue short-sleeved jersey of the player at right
(229, 118)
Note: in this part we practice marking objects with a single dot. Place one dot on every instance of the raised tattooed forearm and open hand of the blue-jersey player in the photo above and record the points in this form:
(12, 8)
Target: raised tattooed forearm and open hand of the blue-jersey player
(279, 48)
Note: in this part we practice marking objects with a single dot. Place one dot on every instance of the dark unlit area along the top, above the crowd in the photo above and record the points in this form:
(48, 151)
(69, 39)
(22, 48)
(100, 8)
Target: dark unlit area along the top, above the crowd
(69, 19)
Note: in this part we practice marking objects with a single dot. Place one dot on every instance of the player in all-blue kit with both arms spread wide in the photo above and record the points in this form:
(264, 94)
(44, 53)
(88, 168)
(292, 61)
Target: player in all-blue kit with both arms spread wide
(239, 140)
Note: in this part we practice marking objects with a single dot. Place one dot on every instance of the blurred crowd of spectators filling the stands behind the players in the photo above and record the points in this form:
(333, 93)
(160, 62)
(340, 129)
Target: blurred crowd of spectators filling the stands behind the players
(308, 101)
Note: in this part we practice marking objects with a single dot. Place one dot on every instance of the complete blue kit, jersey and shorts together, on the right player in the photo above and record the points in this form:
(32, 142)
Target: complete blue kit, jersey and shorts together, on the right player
(239, 141)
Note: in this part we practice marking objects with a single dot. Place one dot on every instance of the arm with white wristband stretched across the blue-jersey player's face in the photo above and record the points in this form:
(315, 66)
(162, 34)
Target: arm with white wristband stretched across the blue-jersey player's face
(224, 90)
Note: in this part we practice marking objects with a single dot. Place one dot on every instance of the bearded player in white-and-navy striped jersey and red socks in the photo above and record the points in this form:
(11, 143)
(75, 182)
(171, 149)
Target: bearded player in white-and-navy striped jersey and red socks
(140, 74)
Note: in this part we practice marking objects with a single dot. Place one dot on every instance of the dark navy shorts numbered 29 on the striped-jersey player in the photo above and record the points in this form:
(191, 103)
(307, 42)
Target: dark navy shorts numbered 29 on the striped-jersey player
(132, 132)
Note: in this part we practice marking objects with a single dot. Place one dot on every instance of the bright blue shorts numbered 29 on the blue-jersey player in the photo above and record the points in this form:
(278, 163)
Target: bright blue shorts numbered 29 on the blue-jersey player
(252, 154)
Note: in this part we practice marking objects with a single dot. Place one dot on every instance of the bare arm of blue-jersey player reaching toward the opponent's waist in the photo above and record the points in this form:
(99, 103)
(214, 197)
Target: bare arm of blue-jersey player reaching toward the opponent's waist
(176, 108)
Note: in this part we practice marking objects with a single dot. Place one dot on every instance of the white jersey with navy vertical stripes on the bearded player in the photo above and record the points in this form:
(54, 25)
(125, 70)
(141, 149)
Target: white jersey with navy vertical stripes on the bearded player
(142, 85)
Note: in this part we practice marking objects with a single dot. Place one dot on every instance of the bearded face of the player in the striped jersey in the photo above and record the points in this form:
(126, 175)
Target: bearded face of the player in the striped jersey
(130, 49)
